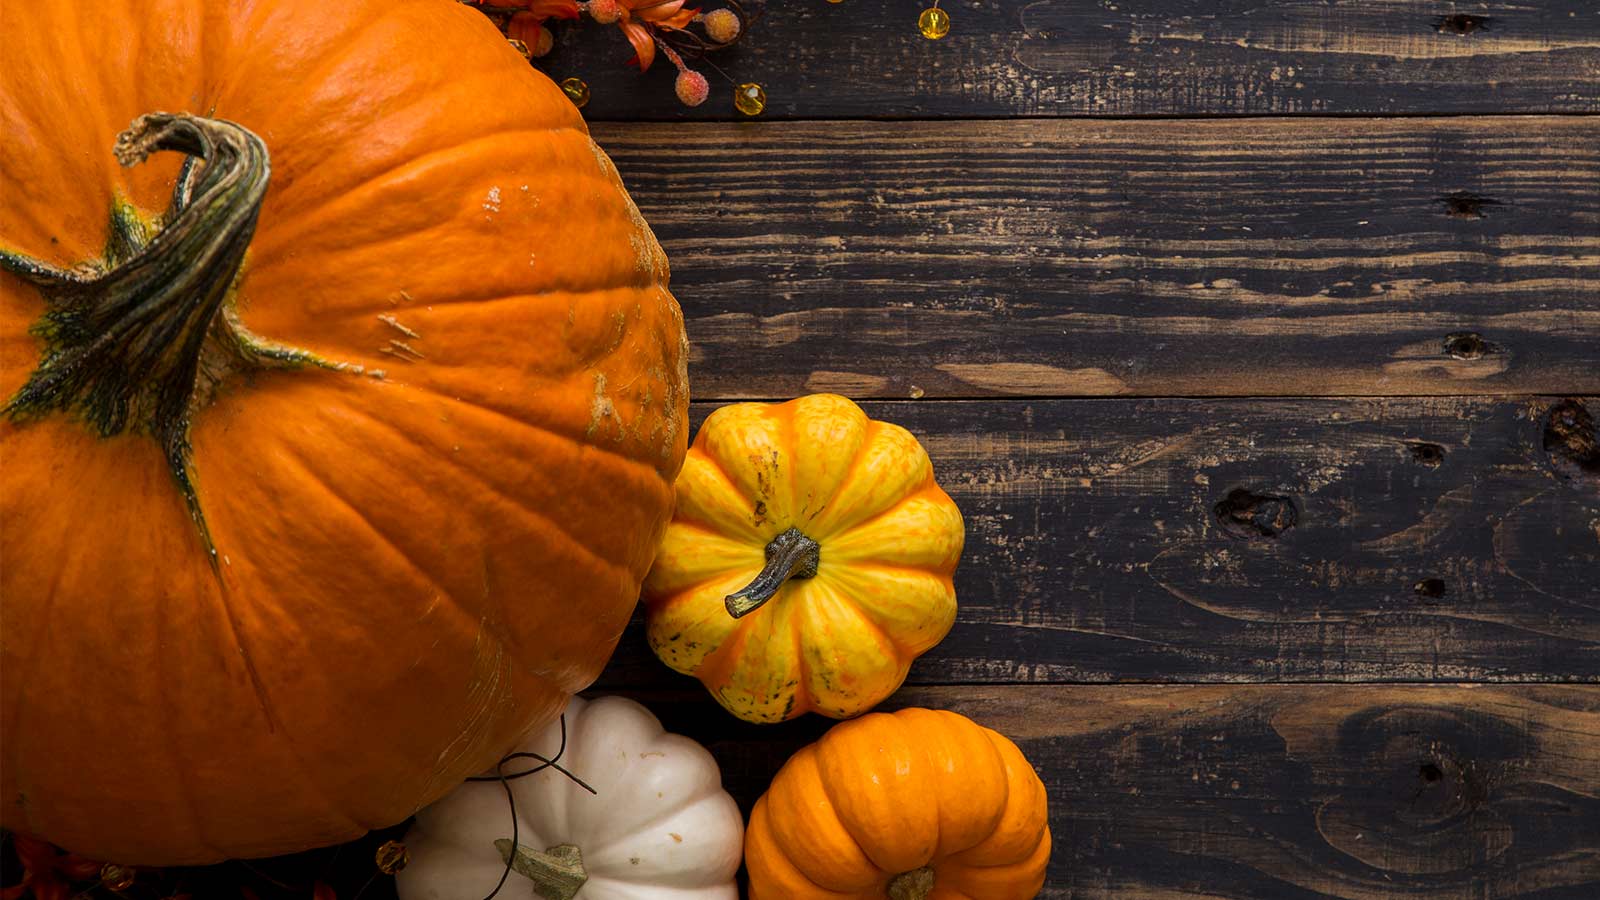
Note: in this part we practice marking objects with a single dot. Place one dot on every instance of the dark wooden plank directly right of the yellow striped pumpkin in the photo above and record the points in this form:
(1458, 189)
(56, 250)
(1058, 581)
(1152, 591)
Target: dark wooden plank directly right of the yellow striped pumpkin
(1260, 540)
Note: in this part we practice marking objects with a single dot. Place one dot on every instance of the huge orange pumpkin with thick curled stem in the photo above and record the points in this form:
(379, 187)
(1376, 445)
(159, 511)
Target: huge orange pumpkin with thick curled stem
(332, 465)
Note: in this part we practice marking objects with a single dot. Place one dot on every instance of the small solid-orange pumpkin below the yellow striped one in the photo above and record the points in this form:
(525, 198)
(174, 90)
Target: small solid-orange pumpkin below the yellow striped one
(918, 805)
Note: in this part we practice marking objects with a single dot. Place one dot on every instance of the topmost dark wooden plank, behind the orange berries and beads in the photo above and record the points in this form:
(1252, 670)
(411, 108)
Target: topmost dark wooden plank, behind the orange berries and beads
(865, 58)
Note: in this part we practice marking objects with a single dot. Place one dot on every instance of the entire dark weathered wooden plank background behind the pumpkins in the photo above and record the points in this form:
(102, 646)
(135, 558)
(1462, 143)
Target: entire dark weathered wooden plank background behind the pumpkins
(1260, 345)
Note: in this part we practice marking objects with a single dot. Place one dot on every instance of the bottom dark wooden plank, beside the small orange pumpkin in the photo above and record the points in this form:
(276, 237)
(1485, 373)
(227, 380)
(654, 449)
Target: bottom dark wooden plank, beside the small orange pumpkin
(1274, 792)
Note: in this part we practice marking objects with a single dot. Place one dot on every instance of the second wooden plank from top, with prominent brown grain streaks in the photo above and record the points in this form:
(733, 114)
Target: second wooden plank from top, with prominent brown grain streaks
(1148, 259)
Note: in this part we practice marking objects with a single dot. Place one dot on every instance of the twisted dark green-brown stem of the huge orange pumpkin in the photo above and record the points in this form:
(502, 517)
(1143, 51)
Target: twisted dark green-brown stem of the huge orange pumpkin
(140, 339)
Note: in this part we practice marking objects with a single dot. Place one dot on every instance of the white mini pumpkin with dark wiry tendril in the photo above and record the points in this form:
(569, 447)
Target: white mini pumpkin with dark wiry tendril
(658, 827)
